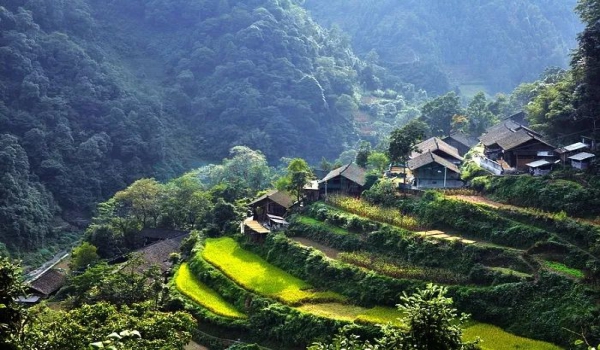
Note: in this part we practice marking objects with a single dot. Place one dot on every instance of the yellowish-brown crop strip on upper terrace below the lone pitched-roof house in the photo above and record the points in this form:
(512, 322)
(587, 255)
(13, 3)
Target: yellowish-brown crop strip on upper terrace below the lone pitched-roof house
(362, 208)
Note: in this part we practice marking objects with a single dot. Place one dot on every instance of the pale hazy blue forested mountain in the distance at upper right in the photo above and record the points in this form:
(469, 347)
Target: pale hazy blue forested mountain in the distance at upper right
(496, 43)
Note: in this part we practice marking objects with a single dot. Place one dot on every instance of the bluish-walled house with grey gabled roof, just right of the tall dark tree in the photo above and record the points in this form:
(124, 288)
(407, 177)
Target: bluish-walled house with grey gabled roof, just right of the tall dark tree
(432, 171)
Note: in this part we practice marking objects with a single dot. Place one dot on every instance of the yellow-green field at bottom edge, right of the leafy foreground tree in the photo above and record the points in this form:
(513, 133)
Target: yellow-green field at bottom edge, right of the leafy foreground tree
(494, 338)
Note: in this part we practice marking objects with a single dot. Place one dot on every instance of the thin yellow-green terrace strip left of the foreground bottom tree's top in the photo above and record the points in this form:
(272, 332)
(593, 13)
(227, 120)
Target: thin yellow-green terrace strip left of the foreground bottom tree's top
(376, 315)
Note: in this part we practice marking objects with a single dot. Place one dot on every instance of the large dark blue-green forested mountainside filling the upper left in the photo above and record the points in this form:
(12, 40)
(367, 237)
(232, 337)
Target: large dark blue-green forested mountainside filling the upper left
(96, 94)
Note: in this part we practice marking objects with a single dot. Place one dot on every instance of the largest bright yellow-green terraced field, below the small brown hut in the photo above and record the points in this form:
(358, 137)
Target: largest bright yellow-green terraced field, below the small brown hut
(255, 274)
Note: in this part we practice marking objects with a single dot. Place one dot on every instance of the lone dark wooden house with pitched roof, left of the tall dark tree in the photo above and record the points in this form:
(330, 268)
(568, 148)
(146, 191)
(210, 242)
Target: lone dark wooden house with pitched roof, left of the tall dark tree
(349, 180)
